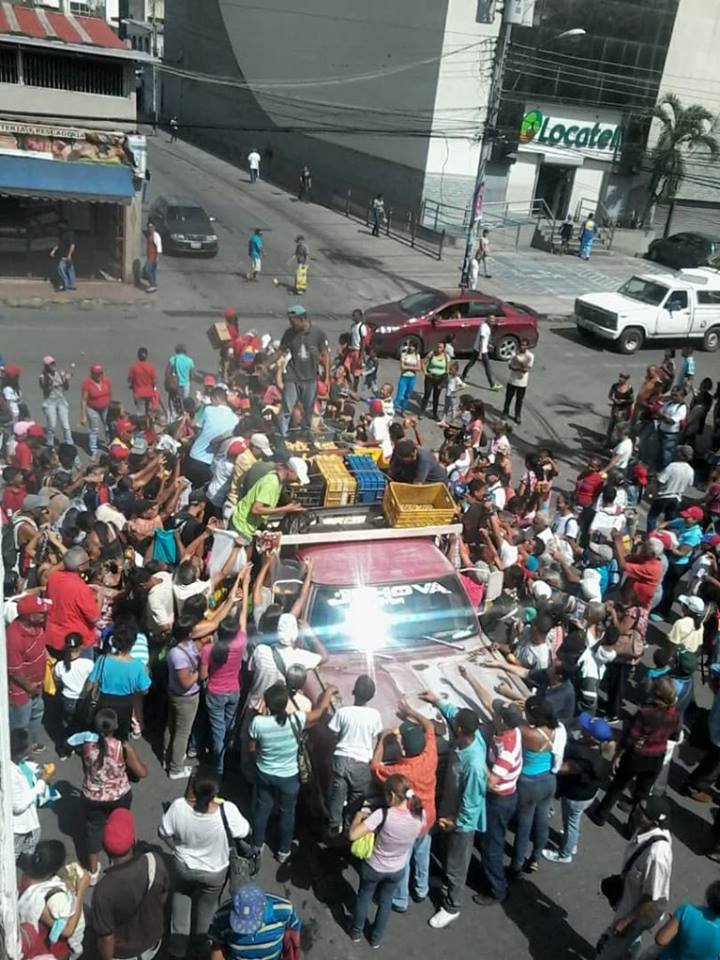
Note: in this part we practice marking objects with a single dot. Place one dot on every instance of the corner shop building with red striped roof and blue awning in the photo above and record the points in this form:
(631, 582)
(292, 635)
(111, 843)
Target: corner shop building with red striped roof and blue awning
(69, 148)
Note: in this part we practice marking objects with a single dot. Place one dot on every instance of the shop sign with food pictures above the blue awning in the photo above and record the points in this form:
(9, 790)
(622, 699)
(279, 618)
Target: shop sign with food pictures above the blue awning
(64, 143)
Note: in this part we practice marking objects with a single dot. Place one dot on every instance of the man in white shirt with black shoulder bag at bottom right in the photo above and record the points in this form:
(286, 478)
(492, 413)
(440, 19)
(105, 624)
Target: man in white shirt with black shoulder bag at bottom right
(642, 897)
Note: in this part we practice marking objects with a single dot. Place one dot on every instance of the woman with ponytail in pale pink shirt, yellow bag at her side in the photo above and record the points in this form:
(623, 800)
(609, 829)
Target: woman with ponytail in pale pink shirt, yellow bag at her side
(396, 827)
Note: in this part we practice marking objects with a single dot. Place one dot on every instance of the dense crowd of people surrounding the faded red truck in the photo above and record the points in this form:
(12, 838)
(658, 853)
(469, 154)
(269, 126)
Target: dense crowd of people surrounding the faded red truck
(140, 606)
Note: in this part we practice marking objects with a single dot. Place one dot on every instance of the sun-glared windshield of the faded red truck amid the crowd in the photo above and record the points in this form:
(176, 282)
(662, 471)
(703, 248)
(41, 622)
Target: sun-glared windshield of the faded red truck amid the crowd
(391, 617)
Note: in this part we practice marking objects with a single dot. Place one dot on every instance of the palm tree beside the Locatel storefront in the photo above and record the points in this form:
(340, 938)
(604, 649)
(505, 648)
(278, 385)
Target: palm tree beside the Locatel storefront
(684, 130)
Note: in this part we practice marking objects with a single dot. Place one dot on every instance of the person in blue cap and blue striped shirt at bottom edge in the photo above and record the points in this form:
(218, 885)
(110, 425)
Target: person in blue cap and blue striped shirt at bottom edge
(253, 925)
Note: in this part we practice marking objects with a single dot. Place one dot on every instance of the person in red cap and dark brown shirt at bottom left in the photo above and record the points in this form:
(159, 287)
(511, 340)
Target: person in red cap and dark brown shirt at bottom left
(128, 904)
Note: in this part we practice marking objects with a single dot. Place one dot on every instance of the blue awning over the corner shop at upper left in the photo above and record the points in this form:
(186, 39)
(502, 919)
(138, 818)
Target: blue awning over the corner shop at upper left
(64, 180)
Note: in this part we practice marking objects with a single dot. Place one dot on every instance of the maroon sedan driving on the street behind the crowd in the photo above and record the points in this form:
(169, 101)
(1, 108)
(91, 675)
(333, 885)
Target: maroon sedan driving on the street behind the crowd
(429, 316)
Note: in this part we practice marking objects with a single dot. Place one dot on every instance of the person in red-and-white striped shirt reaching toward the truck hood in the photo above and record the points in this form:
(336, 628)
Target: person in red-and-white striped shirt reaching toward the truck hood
(504, 766)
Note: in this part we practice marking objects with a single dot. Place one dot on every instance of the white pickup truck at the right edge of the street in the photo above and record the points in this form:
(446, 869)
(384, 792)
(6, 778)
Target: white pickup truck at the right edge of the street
(663, 306)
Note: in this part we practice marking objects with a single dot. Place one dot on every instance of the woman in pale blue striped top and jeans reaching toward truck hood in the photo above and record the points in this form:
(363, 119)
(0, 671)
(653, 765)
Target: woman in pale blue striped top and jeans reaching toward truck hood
(275, 739)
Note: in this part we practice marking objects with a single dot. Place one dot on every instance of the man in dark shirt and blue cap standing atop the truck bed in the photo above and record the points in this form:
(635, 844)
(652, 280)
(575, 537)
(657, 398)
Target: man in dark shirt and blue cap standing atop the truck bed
(306, 347)
